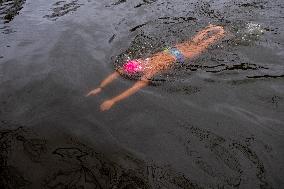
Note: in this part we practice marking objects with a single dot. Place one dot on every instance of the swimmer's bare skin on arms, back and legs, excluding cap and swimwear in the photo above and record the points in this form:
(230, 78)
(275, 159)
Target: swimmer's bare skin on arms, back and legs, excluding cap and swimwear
(162, 61)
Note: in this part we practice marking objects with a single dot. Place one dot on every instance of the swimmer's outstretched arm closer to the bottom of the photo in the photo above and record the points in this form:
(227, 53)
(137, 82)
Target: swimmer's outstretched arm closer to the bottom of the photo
(107, 104)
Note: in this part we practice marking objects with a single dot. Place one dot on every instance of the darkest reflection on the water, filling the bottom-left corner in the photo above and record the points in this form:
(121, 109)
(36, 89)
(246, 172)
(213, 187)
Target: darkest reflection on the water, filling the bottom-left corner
(73, 164)
